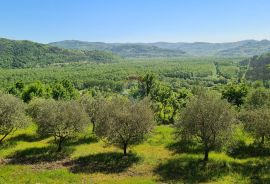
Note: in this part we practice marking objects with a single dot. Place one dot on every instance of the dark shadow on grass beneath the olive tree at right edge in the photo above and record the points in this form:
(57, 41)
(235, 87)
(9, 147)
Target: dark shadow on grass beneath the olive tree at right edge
(241, 150)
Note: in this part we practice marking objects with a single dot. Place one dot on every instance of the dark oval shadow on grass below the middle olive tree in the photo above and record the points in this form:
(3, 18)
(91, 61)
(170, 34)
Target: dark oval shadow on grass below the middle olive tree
(104, 163)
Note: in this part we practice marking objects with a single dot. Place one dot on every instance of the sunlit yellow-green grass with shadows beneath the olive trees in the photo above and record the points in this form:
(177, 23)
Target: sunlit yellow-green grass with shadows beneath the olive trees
(25, 158)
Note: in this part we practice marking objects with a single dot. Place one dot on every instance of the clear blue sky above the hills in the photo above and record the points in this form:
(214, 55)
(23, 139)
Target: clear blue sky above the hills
(135, 20)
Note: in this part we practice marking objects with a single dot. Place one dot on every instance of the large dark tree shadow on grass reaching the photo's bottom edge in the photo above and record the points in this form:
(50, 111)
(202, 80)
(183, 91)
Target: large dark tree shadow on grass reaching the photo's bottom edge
(190, 170)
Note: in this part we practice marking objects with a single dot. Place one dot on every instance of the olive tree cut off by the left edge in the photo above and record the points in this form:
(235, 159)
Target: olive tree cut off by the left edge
(12, 115)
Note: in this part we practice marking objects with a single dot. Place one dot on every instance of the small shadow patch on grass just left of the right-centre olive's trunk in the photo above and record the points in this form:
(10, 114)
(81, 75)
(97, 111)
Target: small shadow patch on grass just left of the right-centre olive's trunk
(185, 146)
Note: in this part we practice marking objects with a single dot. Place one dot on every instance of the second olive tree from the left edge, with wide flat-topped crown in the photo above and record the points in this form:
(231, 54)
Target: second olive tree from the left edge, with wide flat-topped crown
(59, 119)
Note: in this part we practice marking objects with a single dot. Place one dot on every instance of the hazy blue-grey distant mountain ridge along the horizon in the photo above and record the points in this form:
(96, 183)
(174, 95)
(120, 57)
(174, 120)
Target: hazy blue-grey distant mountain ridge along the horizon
(246, 48)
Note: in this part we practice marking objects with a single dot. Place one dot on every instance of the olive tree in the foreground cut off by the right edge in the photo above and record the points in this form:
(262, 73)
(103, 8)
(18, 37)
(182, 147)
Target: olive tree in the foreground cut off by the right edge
(257, 122)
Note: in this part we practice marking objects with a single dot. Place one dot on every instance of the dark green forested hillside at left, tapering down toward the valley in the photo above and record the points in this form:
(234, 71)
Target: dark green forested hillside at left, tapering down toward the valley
(22, 54)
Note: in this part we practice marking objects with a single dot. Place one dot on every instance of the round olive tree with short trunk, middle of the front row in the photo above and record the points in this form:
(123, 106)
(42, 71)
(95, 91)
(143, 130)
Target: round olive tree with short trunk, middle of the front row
(124, 123)
